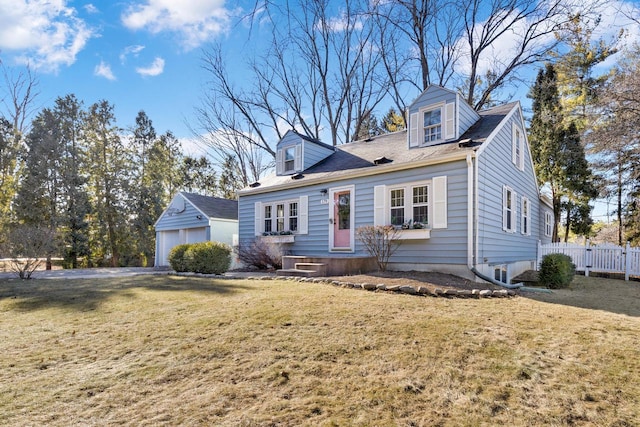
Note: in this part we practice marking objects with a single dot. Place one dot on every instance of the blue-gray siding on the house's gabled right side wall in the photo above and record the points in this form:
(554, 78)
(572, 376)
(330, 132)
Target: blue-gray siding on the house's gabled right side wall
(496, 169)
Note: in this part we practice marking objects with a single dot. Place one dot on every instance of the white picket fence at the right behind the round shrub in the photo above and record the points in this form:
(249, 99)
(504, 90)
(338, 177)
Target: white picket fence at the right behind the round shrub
(597, 258)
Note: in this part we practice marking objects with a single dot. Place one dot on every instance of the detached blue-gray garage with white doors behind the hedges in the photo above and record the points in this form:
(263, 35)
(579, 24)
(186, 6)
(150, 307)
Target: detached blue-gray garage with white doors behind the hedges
(192, 218)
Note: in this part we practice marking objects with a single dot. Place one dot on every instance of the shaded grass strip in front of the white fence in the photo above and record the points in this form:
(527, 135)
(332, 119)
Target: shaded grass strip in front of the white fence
(596, 293)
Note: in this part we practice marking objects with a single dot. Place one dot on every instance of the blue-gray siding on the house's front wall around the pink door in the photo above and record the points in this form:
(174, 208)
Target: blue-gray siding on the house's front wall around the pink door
(446, 246)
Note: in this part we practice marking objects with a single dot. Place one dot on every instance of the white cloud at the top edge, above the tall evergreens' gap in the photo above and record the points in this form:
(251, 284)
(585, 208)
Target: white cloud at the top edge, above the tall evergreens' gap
(196, 21)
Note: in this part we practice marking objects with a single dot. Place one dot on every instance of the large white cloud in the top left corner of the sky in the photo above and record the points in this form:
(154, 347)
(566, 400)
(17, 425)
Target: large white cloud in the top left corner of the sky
(45, 33)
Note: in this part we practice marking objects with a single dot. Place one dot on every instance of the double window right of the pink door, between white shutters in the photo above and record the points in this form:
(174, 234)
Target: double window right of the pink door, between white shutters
(409, 204)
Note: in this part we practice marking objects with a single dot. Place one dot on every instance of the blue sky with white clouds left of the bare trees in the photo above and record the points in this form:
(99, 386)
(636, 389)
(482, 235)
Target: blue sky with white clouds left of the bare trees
(138, 55)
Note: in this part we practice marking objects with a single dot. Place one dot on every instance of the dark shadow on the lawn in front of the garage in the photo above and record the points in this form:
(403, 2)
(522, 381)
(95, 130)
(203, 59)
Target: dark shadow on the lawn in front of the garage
(88, 294)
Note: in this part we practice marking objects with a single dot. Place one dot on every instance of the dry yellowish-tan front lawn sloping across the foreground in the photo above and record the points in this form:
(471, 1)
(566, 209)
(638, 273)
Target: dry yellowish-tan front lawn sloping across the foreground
(155, 350)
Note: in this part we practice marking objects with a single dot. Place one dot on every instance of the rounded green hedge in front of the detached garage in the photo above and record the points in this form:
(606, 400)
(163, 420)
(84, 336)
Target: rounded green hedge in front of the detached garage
(203, 257)
